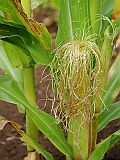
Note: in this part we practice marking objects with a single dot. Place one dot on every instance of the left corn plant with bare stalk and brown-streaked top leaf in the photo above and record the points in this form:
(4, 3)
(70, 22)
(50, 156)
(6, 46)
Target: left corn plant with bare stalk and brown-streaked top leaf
(18, 63)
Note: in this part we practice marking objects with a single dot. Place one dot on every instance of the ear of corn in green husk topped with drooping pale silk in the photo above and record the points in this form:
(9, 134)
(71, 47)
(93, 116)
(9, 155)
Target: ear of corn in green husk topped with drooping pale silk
(77, 73)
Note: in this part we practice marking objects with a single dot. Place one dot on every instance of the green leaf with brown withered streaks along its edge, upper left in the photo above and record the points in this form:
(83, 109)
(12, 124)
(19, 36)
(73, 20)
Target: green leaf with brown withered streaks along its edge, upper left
(14, 12)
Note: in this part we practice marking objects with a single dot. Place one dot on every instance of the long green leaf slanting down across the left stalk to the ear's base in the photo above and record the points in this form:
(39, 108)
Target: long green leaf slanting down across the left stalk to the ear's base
(10, 92)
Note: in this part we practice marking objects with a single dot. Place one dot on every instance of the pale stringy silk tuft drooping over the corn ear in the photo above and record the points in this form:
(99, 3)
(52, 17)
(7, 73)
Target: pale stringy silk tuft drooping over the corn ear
(76, 71)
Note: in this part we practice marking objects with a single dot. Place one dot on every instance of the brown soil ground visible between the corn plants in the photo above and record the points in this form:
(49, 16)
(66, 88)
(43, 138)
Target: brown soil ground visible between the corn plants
(11, 147)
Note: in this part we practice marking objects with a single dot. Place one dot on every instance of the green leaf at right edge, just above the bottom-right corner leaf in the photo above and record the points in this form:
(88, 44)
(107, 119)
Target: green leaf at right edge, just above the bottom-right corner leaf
(111, 113)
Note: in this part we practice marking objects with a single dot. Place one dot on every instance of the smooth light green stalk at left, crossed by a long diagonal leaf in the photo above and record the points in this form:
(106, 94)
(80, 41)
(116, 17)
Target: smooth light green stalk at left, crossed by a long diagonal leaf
(29, 87)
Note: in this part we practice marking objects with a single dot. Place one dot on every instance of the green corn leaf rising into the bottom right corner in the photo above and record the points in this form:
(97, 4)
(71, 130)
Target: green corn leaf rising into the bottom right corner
(104, 146)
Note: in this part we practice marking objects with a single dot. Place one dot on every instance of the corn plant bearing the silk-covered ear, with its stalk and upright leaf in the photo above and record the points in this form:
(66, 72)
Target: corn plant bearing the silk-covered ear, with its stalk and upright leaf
(80, 68)
